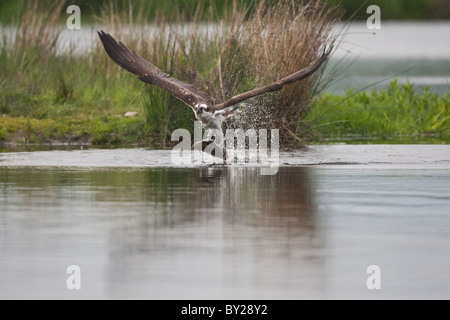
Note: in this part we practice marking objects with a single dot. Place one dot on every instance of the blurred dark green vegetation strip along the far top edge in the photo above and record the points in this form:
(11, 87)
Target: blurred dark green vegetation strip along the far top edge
(12, 10)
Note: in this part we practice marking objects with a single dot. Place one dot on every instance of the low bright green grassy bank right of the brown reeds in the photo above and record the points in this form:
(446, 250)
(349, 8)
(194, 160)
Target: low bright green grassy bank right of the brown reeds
(397, 114)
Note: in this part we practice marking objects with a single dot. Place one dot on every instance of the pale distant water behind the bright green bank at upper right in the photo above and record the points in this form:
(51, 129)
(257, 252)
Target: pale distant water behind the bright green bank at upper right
(417, 52)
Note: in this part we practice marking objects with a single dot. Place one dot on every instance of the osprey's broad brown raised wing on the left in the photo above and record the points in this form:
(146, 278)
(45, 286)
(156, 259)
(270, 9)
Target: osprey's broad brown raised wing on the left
(149, 73)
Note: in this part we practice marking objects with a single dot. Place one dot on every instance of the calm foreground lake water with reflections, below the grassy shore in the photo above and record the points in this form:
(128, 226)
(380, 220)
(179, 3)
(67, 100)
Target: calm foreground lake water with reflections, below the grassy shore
(139, 227)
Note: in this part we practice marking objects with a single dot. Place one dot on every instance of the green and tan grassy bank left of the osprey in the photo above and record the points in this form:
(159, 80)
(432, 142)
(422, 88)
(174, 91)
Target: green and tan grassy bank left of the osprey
(81, 95)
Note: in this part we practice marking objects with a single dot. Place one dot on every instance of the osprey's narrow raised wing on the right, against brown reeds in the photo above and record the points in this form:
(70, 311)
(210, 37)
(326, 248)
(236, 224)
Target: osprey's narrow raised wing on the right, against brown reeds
(299, 75)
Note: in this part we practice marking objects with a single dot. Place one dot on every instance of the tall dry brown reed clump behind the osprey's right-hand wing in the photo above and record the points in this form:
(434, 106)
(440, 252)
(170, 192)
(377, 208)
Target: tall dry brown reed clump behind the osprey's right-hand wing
(276, 41)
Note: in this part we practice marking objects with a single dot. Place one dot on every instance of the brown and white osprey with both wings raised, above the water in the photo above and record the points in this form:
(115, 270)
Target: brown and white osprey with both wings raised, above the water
(209, 114)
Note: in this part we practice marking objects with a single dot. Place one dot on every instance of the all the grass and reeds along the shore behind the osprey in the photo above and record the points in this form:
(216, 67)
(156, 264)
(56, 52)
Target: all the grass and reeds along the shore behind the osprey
(82, 100)
